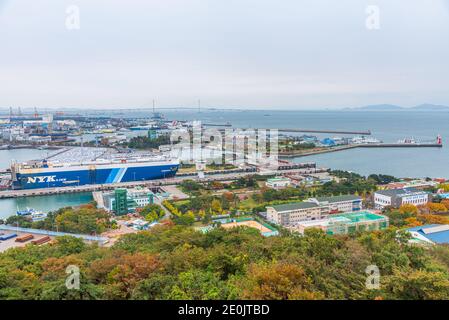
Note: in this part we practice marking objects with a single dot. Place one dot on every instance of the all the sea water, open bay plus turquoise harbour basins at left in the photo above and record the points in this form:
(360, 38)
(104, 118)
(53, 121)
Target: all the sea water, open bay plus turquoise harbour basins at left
(388, 126)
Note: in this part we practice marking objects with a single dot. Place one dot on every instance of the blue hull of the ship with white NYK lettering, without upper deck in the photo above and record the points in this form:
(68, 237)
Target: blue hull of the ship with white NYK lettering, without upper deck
(48, 178)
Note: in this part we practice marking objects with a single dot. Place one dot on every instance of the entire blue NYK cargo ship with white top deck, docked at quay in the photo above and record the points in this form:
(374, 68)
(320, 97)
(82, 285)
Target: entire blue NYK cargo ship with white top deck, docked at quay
(47, 174)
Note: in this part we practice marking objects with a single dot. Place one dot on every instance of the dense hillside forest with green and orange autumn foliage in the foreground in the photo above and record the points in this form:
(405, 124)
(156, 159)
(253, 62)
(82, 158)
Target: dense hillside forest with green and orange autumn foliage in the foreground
(177, 262)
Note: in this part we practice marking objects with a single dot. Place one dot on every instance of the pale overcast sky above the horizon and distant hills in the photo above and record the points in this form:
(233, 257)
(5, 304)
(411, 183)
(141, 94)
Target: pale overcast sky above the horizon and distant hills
(246, 54)
